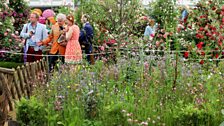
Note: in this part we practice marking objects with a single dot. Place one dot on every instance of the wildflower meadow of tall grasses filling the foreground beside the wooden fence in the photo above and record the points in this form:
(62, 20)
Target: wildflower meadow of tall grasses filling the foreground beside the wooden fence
(129, 93)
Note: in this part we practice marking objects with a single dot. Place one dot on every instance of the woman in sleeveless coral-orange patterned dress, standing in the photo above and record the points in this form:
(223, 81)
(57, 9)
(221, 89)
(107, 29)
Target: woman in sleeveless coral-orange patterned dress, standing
(73, 52)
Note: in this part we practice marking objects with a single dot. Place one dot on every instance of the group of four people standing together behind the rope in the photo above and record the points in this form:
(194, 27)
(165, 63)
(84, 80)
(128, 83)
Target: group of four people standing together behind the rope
(65, 39)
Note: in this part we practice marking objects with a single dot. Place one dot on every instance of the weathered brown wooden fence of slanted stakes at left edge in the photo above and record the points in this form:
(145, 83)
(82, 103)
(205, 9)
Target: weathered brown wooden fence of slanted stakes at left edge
(20, 82)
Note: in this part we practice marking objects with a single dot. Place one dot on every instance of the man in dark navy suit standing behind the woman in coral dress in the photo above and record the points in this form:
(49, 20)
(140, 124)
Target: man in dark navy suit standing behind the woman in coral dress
(86, 38)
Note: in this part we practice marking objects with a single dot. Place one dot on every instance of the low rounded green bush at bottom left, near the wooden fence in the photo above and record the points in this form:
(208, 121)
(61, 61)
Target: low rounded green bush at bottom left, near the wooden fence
(31, 112)
